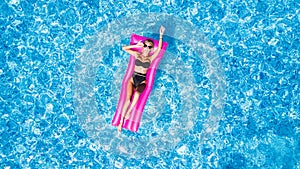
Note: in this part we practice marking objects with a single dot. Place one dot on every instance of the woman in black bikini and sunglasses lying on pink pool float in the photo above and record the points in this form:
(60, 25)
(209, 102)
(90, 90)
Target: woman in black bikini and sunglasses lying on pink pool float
(138, 79)
